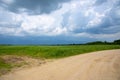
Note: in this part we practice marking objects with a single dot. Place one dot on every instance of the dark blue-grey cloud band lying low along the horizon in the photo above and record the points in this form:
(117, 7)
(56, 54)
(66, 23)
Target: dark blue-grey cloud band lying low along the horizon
(62, 39)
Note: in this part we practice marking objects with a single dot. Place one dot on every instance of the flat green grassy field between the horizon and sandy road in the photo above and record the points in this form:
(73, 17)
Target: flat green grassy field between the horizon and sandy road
(47, 52)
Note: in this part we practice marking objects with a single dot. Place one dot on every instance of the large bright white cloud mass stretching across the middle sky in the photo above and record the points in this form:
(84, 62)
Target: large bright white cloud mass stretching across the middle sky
(82, 15)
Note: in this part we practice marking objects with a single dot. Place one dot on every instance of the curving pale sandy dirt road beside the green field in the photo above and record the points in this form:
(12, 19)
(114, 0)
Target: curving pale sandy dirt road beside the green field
(102, 65)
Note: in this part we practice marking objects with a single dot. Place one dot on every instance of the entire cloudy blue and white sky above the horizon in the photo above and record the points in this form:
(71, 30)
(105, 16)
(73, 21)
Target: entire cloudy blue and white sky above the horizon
(59, 21)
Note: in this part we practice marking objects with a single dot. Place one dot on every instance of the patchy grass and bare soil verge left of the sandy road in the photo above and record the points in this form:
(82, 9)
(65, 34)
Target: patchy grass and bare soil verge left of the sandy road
(13, 62)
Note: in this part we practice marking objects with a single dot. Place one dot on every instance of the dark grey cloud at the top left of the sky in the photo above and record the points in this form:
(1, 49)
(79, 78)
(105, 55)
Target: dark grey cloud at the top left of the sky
(33, 6)
